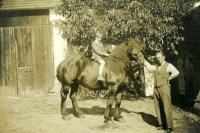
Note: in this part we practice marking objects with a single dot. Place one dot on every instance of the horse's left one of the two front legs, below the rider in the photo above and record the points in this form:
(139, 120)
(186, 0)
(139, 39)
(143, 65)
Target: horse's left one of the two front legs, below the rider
(107, 113)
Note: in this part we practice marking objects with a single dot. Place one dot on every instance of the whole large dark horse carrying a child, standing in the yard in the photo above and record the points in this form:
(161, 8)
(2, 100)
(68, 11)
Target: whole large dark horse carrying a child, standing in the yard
(78, 69)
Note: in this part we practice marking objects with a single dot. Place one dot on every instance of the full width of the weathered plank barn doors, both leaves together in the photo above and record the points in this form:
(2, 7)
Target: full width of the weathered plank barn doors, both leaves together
(26, 60)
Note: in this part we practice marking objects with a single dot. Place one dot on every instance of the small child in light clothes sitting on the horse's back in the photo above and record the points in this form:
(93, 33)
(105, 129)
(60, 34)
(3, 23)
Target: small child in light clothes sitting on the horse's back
(97, 52)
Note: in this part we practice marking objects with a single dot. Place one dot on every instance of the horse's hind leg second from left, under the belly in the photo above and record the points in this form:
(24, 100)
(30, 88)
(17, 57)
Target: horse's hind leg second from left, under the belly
(73, 95)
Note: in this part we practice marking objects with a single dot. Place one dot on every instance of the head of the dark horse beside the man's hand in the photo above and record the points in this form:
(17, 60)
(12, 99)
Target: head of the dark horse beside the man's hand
(135, 51)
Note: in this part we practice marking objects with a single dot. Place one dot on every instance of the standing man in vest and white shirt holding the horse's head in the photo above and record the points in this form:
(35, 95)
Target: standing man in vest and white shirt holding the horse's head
(164, 72)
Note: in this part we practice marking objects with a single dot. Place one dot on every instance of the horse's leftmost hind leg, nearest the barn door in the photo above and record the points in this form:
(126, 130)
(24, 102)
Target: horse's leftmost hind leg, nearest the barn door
(64, 92)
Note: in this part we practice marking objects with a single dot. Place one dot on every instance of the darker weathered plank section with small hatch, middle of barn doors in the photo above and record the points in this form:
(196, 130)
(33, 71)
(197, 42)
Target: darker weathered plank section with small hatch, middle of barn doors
(24, 54)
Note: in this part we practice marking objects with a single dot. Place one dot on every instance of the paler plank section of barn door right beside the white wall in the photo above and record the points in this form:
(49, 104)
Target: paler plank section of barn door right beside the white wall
(44, 74)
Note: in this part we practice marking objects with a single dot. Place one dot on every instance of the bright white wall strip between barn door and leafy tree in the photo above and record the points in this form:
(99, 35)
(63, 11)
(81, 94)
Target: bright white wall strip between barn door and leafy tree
(60, 47)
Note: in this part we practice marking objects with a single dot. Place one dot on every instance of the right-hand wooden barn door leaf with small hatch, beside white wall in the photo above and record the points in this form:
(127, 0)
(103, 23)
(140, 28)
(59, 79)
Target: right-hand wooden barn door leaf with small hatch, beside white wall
(35, 59)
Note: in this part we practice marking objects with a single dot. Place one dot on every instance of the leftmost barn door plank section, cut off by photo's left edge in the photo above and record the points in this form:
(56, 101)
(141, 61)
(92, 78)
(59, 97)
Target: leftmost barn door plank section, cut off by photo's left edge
(8, 61)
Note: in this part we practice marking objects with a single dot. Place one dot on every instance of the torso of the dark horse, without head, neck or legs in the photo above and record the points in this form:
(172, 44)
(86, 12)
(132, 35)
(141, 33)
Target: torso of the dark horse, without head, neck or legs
(85, 71)
